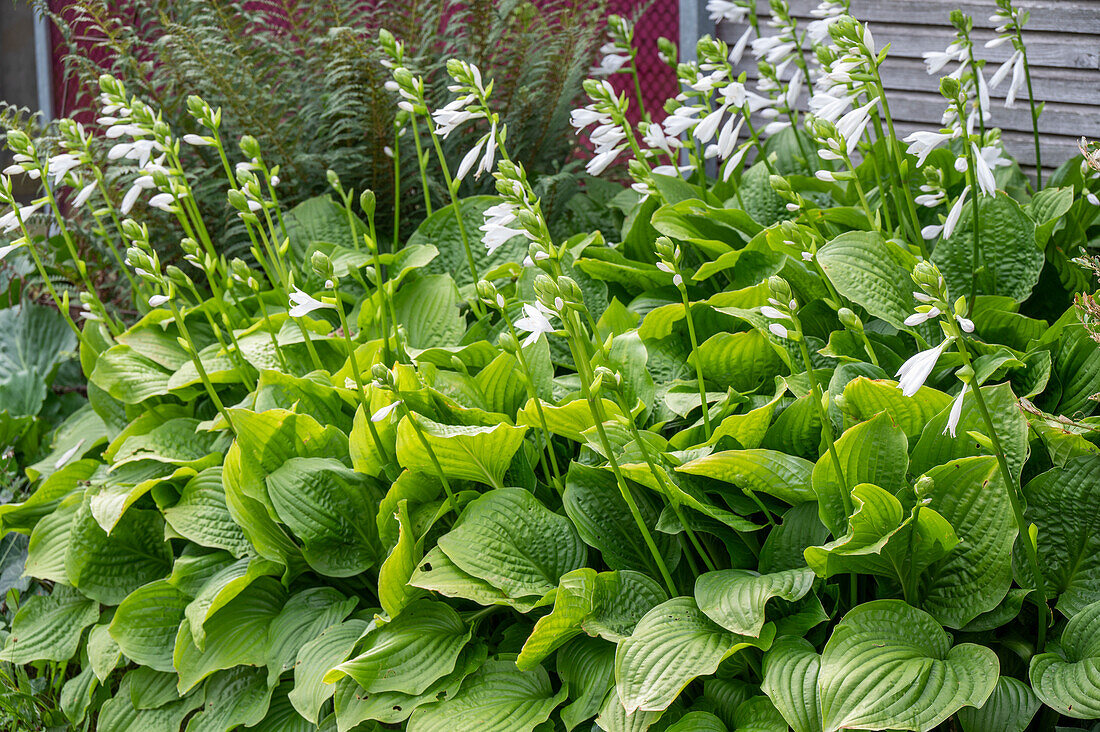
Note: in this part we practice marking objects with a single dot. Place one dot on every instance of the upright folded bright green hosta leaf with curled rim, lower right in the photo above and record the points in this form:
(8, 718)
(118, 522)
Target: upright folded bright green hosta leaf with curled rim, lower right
(884, 541)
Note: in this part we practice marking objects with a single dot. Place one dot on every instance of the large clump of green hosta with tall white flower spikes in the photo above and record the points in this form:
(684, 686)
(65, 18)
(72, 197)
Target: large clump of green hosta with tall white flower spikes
(805, 445)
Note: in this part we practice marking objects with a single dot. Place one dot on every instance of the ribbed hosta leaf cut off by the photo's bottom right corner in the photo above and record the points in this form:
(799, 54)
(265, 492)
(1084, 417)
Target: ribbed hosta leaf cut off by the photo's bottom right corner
(1070, 682)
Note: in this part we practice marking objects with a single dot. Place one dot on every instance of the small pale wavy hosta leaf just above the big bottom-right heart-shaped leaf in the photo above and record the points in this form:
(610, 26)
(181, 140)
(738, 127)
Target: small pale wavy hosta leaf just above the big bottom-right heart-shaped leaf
(736, 598)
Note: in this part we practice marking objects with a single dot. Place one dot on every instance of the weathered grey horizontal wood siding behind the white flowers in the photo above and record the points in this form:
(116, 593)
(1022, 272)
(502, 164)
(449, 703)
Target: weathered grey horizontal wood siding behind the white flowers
(1063, 47)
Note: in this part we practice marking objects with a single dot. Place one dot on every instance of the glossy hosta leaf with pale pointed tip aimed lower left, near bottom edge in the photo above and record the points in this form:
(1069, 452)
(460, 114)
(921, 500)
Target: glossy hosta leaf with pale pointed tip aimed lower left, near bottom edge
(411, 653)
